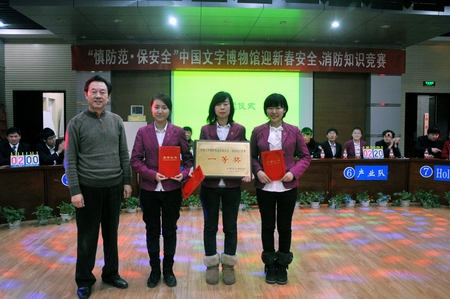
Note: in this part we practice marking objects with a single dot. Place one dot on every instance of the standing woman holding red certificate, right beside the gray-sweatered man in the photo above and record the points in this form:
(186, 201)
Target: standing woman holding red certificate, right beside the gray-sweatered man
(160, 192)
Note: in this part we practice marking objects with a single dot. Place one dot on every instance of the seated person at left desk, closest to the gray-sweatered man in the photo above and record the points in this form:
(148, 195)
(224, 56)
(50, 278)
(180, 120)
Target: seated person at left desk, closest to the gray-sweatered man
(50, 150)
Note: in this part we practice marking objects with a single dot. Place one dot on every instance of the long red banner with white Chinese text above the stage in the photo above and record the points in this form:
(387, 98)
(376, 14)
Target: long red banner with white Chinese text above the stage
(254, 58)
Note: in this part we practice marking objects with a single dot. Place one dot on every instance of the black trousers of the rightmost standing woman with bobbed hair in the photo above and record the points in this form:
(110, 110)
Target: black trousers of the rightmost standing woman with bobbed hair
(276, 208)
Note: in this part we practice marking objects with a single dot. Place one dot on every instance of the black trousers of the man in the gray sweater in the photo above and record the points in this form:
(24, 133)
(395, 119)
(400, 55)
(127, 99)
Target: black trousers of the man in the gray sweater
(102, 209)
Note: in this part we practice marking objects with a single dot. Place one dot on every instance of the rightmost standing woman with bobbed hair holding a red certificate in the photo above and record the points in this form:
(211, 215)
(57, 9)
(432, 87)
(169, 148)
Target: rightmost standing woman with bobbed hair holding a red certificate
(274, 145)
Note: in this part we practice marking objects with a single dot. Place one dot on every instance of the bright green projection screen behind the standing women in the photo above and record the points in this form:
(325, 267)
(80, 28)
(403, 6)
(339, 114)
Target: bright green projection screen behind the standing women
(192, 92)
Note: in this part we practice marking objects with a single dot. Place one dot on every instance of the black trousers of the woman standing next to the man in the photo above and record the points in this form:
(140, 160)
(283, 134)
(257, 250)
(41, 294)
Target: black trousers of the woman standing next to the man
(161, 211)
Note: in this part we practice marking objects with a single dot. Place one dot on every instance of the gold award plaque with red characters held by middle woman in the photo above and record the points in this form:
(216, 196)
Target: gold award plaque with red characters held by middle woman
(223, 159)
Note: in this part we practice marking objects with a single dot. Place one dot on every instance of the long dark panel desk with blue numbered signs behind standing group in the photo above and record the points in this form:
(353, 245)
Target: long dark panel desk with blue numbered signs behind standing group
(30, 187)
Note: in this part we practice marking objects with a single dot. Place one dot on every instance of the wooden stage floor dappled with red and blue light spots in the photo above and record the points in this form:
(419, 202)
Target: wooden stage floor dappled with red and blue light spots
(371, 252)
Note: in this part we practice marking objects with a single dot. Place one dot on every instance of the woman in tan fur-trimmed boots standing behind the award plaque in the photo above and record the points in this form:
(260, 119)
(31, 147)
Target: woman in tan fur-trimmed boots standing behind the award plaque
(221, 127)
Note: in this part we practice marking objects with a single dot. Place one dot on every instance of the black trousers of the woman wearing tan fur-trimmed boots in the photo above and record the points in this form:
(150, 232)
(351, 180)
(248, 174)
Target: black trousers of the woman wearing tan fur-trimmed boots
(211, 198)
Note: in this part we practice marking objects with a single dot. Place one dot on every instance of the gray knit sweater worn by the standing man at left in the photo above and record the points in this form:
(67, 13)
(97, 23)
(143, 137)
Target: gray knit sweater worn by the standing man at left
(96, 153)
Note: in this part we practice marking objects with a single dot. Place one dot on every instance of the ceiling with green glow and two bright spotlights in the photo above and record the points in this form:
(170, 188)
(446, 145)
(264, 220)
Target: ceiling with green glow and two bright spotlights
(81, 22)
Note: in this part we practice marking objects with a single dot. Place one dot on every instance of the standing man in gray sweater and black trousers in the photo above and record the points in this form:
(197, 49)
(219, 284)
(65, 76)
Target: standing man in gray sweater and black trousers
(99, 176)
